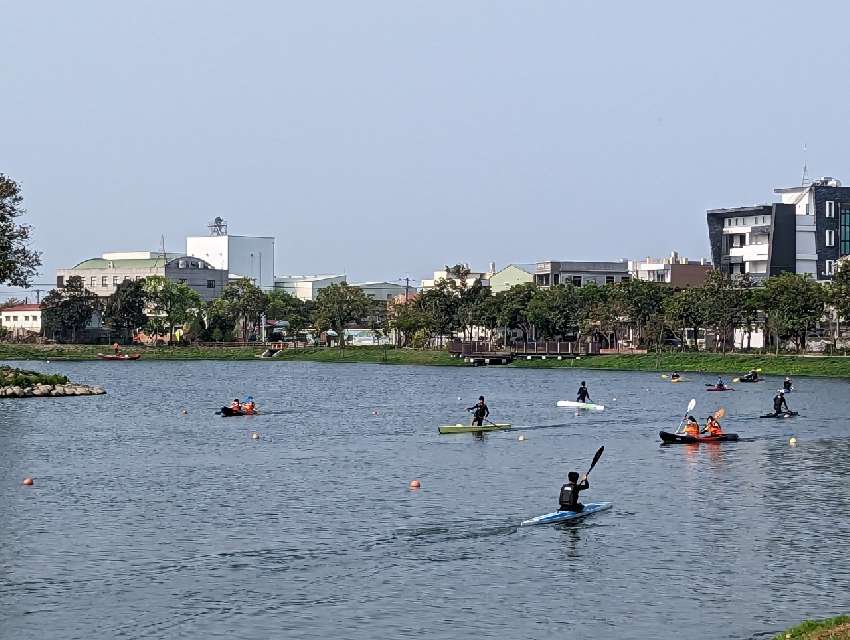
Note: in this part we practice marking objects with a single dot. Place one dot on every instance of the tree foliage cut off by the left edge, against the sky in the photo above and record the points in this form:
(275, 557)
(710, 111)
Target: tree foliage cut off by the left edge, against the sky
(18, 263)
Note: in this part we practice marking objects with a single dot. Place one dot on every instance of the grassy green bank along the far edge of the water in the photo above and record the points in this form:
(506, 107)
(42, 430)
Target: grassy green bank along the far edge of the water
(705, 363)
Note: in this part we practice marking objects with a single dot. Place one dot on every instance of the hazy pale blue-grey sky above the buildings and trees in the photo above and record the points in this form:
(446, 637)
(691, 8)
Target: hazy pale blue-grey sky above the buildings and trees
(385, 138)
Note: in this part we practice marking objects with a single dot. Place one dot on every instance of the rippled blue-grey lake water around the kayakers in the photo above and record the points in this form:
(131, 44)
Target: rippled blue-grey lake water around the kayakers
(145, 523)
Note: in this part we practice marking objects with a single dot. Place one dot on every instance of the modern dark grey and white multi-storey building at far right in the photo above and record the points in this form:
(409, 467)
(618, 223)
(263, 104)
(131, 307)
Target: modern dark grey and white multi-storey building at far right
(807, 232)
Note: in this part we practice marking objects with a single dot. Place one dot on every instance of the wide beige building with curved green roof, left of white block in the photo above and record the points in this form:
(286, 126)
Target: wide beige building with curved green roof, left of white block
(103, 275)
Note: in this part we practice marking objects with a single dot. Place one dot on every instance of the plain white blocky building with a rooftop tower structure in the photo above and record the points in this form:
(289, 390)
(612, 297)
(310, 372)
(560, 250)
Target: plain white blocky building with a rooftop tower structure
(249, 257)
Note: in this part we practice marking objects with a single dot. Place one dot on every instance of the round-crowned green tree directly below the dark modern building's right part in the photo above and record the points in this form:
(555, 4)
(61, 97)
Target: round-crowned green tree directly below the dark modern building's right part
(793, 303)
